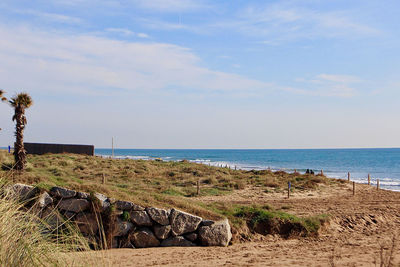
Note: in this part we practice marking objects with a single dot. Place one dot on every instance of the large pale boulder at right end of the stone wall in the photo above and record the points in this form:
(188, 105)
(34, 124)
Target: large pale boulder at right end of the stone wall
(217, 234)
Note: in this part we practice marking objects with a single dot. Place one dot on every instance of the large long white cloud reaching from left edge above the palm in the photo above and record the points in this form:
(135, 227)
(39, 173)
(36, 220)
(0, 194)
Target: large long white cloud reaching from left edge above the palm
(50, 62)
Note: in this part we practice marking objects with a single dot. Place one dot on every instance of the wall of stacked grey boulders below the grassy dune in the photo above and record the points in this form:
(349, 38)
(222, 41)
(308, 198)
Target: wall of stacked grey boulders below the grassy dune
(122, 224)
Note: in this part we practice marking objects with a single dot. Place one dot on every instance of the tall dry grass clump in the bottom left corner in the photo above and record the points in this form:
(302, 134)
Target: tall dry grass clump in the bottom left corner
(28, 240)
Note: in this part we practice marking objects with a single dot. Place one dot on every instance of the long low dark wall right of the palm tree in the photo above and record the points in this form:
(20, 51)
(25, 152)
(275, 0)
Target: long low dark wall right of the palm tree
(40, 149)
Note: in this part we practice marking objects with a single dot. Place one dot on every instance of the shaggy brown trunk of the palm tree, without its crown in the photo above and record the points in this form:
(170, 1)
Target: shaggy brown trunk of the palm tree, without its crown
(19, 151)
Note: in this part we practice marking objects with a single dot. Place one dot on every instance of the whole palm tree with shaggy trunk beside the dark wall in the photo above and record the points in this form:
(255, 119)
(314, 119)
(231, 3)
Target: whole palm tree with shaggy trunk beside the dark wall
(20, 102)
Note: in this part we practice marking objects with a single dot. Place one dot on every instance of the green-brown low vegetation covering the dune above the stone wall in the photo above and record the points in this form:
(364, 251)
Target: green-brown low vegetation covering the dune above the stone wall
(168, 184)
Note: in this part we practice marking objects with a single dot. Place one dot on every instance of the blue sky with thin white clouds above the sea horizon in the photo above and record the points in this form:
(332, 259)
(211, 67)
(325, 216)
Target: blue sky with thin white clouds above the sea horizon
(203, 74)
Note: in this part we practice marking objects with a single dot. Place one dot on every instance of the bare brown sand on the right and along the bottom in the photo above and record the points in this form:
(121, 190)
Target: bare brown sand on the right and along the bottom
(360, 224)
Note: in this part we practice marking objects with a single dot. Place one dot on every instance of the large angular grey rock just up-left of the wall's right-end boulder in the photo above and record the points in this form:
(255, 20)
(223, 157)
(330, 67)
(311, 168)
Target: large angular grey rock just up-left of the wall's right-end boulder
(182, 222)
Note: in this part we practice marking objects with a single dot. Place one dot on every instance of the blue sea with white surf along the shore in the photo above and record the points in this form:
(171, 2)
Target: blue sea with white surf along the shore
(380, 163)
